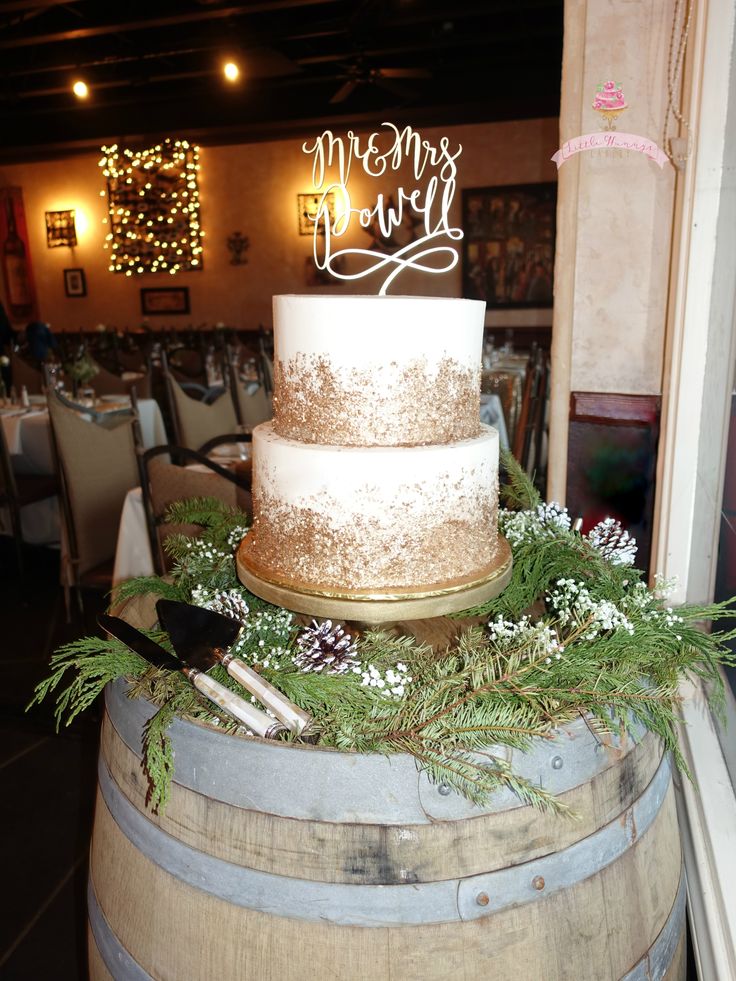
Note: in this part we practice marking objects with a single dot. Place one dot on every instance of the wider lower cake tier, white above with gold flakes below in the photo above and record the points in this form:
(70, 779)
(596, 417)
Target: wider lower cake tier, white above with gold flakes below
(371, 519)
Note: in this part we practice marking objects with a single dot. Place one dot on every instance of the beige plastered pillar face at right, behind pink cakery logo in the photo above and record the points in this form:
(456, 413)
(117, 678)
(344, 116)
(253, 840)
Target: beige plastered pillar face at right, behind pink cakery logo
(621, 203)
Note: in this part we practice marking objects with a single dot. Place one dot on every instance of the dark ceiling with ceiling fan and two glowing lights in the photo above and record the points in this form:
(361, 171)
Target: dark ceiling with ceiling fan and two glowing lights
(154, 69)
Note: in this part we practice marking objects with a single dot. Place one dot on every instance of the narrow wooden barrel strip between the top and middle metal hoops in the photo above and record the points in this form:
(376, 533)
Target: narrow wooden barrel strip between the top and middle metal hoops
(375, 853)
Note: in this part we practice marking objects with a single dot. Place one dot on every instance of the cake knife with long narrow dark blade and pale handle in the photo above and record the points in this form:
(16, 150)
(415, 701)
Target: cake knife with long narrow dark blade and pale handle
(150, 651)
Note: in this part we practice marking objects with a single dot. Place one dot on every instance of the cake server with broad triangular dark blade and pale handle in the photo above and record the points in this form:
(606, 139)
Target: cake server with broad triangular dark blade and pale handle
(202, 638)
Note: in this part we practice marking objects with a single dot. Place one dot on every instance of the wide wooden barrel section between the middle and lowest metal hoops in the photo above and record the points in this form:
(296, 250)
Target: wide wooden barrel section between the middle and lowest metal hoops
(598, 928)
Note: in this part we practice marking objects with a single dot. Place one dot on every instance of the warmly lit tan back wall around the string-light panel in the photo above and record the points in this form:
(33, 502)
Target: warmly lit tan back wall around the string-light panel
(251, 189)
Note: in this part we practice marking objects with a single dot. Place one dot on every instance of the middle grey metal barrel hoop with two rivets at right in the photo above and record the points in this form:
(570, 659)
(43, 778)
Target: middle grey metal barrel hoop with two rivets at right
(444, 901)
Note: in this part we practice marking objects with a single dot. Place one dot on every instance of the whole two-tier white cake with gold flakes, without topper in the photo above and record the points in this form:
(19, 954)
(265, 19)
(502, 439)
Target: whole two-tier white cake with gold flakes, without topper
(375, 474)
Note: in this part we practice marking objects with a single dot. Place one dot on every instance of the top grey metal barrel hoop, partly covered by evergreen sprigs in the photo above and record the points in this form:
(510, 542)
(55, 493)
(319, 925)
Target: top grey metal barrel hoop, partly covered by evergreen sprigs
(380, 789)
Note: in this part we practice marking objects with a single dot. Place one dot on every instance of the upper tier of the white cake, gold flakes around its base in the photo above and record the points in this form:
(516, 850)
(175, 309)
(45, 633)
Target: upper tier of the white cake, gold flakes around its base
(377, 370)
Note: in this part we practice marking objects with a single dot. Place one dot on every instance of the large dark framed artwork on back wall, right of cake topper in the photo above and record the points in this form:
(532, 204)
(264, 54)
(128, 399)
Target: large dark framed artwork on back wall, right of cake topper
(509, 244)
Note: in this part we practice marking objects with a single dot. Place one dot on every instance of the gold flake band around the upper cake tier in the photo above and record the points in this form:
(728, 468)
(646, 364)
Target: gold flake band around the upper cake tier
(385, 405)
